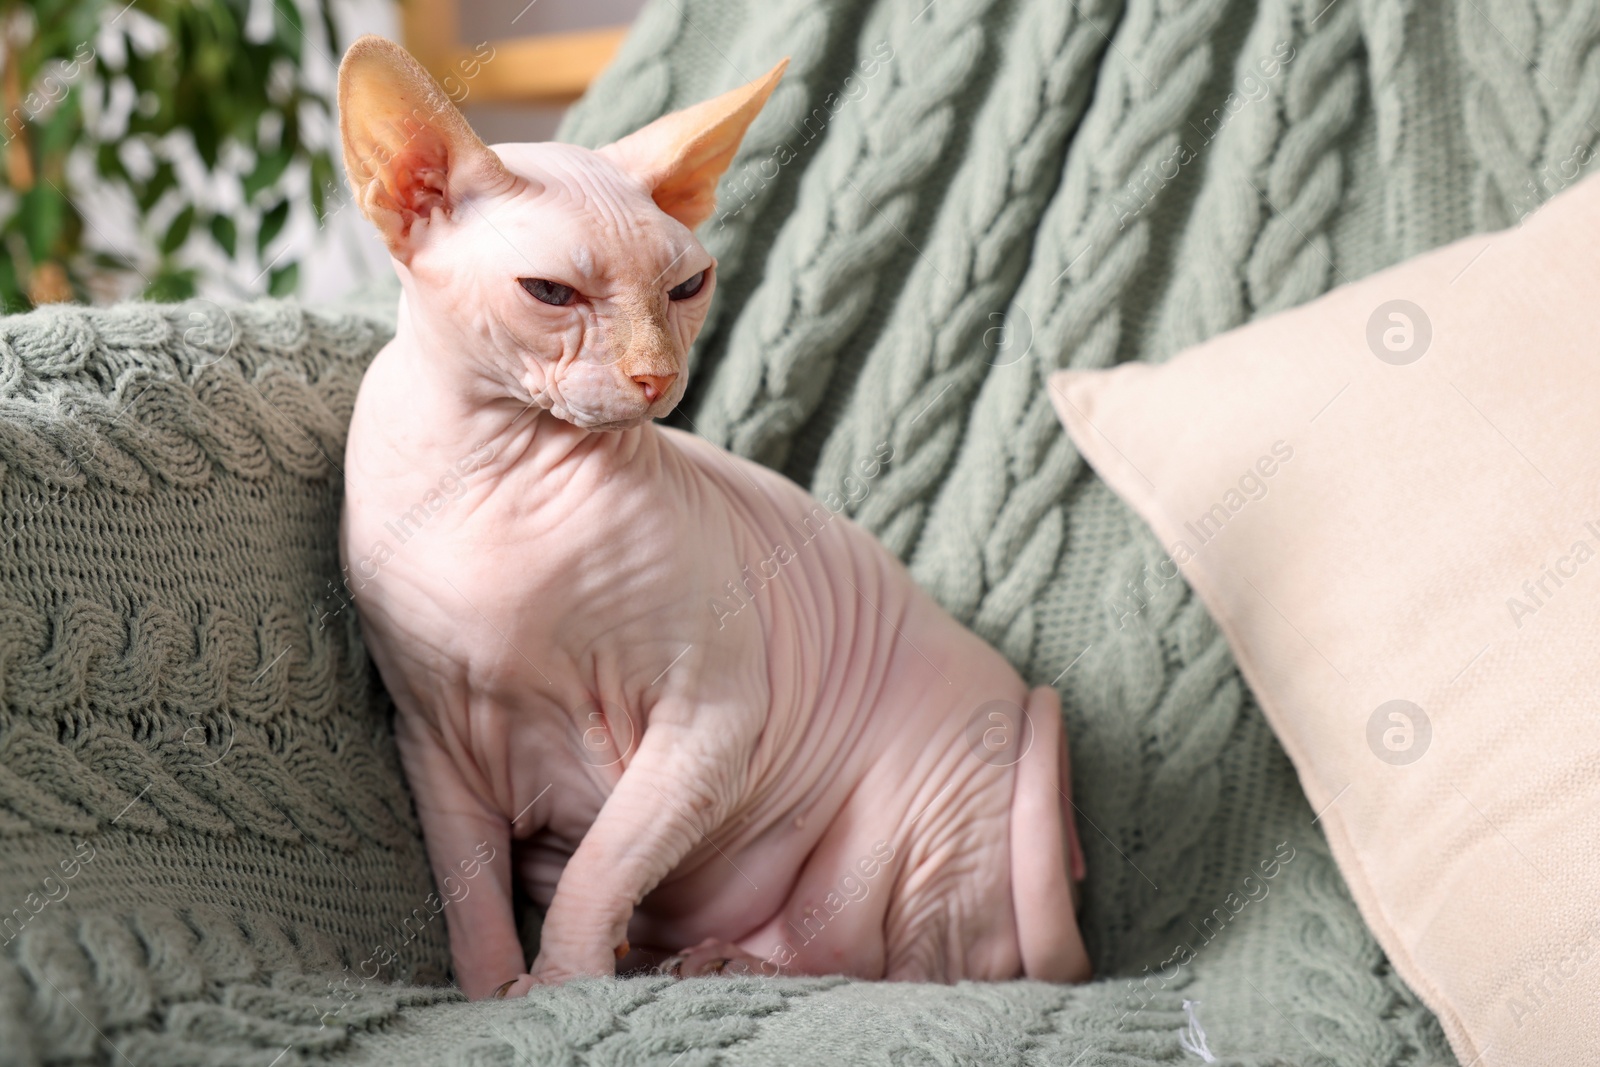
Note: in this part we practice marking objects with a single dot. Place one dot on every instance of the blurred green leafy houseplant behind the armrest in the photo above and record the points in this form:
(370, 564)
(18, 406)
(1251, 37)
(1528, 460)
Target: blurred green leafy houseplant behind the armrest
(118, 102)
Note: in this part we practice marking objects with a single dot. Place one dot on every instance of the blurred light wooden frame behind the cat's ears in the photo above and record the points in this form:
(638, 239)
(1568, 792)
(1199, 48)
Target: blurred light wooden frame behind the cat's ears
(534, 70)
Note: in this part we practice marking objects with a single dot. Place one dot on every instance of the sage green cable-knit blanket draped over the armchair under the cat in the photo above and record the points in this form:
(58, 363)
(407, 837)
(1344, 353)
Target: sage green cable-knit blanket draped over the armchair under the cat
(209, 852)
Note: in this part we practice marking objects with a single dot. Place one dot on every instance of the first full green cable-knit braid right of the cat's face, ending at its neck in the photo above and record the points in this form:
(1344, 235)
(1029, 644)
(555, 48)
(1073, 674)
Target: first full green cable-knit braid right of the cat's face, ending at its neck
(855, 207)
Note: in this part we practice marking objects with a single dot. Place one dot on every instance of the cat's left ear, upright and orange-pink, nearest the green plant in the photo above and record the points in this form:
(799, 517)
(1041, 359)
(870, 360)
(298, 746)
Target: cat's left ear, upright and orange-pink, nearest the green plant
(407, 150)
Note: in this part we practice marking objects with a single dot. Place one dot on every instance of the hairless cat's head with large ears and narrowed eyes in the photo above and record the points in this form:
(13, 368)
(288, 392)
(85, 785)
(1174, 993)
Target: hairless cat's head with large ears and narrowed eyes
(556, 276)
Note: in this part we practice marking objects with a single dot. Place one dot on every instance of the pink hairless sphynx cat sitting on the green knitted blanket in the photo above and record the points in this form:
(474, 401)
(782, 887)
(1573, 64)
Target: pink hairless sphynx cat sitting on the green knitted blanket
(687, 708)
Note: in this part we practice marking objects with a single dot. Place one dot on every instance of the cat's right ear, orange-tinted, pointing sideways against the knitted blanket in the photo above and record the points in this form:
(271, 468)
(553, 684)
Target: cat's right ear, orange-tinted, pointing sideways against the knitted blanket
(682, 156)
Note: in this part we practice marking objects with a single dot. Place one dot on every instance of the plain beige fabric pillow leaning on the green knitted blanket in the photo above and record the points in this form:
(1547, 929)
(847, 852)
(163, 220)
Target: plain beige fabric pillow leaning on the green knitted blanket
(1391, 503)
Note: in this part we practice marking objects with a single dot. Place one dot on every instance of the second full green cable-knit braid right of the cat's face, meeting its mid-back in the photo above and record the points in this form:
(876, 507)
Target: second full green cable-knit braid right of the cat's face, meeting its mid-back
(950, 326)
